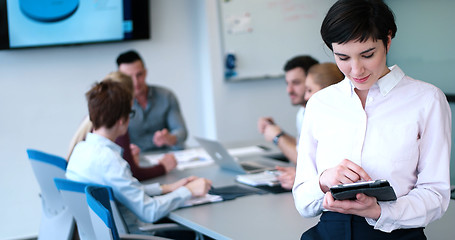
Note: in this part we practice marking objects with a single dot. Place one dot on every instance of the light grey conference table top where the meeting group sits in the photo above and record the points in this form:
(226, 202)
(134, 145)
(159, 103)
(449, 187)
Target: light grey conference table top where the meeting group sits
(265, 216)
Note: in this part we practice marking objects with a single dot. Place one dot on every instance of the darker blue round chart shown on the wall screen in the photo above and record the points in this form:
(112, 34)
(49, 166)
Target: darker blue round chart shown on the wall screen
(48, 10)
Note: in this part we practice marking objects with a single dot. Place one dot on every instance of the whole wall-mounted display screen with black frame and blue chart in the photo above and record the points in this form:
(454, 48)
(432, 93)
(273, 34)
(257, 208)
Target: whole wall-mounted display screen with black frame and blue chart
(40, 23)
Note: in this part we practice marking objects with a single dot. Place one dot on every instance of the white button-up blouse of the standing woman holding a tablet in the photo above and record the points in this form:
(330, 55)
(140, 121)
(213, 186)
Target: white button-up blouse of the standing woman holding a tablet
(402, 135)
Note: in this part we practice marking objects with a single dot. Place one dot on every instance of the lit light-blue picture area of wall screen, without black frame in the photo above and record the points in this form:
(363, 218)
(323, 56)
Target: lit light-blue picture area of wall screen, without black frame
(54, 22)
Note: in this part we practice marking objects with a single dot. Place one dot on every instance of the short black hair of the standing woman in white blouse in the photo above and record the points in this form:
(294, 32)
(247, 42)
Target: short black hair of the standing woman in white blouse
(358, 20)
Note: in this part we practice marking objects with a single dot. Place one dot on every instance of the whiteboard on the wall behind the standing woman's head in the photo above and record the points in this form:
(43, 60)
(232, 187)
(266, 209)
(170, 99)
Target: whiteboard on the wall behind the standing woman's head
(264, 34)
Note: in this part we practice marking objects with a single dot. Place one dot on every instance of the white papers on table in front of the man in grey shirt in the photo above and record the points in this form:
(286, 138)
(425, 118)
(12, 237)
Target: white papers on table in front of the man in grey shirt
(188, 158)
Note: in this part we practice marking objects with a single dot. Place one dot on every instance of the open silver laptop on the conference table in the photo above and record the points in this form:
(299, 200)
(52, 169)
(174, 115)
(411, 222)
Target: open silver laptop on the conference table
(226, 161)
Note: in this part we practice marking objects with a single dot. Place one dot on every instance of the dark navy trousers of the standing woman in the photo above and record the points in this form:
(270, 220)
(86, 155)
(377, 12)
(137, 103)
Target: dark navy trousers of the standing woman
(334, 226)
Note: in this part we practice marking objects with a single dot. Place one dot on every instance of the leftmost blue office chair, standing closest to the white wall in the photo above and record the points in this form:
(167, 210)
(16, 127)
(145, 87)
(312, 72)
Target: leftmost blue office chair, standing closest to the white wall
(56, 220)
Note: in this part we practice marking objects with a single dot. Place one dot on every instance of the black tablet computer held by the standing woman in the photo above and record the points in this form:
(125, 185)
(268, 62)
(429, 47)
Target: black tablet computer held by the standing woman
(380, 189)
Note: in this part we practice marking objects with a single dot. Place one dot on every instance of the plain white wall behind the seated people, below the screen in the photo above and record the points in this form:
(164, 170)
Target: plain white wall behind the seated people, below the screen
(42, 97)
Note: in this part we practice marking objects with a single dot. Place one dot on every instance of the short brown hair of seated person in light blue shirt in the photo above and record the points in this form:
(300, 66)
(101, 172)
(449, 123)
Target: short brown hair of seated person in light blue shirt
(108, 101)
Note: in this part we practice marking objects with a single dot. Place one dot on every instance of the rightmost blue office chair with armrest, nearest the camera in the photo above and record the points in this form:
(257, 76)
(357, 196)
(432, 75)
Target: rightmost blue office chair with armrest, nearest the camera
(102, 219)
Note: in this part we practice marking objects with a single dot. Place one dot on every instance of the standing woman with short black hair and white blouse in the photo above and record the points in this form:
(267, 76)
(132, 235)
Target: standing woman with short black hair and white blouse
(378, 123)
